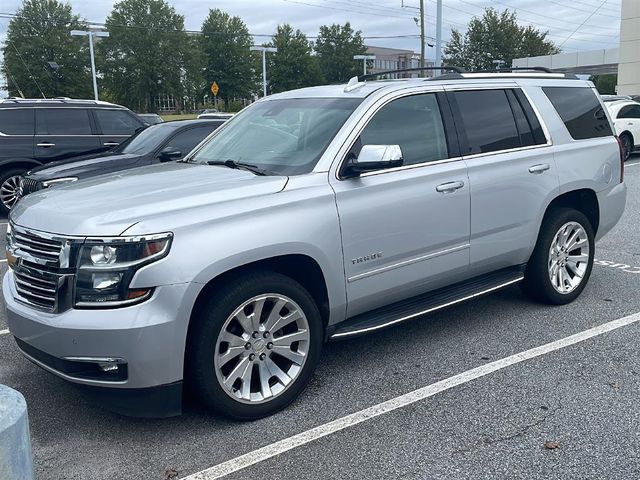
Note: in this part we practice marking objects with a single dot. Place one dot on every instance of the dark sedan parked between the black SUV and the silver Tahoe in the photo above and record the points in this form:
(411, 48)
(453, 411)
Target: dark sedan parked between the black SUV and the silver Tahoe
(158, 143)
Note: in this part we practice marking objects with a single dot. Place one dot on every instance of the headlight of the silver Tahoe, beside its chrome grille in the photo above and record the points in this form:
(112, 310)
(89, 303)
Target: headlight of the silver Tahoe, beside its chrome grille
(106, 267)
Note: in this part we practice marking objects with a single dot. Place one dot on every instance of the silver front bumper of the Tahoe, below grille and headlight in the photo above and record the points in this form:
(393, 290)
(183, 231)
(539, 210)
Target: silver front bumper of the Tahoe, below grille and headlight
(148, 337)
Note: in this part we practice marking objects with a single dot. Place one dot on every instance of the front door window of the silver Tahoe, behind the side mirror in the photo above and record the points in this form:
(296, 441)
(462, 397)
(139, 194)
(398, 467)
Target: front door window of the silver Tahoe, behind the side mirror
(414, 123)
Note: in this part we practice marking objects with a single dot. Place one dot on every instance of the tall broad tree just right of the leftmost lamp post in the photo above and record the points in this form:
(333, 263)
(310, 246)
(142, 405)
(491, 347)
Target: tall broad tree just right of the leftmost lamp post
(144, 56)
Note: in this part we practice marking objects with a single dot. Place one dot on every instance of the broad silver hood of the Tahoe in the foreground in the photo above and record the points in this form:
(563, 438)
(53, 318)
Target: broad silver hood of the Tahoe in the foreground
(110, 204)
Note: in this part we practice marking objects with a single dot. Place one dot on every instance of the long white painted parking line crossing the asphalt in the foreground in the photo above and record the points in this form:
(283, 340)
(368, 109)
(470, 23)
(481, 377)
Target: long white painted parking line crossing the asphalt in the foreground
(321, 431)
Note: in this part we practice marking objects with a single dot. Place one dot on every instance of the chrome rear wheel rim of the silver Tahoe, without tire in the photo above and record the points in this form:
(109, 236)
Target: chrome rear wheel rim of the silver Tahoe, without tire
(568, 257)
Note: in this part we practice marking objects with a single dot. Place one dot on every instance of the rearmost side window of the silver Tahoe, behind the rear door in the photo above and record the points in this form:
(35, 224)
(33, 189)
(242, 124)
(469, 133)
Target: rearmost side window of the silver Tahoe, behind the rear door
(580, 111)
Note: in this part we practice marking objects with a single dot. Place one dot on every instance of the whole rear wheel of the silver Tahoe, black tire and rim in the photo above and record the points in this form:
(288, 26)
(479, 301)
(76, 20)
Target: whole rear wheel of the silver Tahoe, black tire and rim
(543, 279)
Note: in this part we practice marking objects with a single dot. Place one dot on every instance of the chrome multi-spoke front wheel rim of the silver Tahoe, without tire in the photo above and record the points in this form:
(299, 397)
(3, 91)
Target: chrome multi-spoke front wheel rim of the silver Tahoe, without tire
(262, 348)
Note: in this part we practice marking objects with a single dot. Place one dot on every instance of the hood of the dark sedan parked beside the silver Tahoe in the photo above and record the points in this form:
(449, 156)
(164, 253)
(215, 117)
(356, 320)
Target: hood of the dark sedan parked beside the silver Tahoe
(84, 167)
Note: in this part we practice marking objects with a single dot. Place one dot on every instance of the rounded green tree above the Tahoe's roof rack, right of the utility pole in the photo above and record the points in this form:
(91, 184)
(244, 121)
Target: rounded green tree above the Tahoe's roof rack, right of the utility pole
(495, 36)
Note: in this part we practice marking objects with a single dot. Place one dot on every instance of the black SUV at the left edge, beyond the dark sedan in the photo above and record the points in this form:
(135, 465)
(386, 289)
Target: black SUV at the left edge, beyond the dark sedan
(34, 132)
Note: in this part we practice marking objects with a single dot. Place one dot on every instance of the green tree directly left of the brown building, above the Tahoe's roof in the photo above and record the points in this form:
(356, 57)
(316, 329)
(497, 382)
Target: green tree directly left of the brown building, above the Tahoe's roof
(336, 45)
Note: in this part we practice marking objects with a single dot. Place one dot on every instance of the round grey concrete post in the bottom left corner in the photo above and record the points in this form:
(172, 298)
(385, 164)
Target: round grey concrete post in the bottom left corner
(15, 445)
